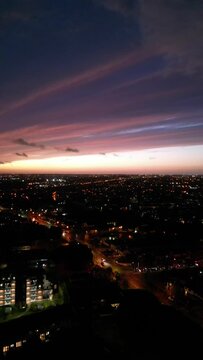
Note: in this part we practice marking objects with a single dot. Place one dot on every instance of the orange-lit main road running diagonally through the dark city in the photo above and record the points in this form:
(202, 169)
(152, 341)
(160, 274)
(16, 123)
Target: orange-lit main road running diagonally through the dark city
(129, 278)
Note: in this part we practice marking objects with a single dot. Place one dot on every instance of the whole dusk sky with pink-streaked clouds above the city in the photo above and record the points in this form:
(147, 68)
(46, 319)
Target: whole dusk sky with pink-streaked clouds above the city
(101, 86)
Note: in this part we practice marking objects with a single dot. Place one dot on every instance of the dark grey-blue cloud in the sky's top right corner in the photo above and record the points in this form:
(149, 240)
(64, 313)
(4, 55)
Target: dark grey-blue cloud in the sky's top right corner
(173, 27)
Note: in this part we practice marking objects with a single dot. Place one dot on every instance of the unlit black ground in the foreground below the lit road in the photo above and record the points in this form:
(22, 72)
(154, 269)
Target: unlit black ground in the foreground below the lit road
(140, 328)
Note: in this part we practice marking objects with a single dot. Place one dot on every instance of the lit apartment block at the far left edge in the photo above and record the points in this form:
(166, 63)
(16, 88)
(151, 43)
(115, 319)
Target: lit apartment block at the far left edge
(7, 290)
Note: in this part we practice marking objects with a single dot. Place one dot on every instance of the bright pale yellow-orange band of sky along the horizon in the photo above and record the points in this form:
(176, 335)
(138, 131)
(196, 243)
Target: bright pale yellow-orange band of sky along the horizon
(151, 161)
